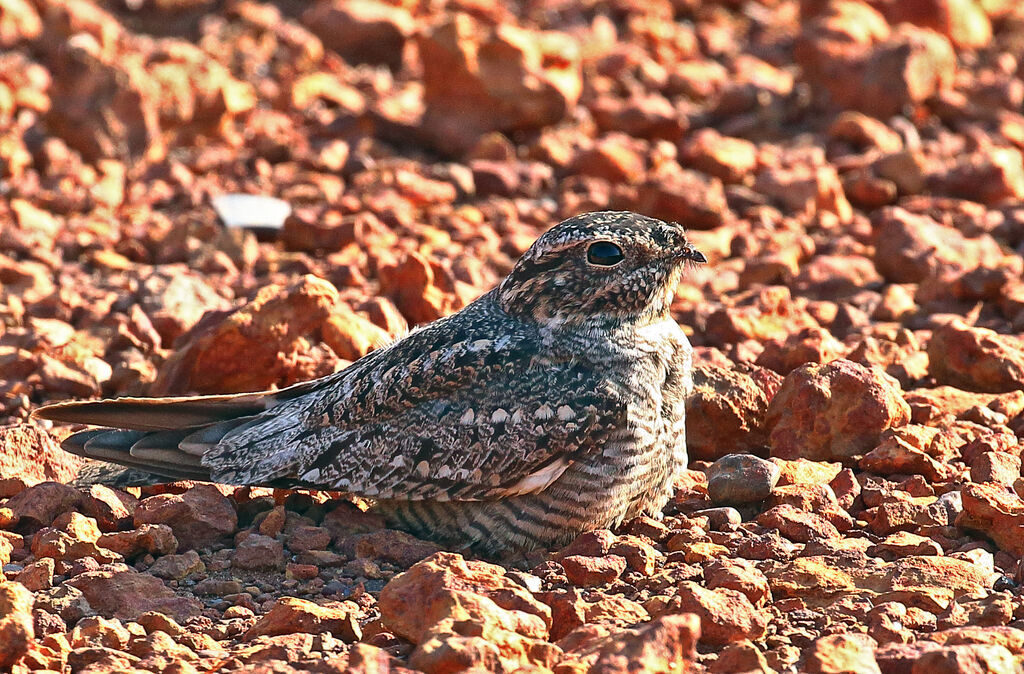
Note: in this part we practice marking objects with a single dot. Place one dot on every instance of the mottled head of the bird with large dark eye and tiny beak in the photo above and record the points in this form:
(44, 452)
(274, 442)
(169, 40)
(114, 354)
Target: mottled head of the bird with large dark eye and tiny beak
(609, 266)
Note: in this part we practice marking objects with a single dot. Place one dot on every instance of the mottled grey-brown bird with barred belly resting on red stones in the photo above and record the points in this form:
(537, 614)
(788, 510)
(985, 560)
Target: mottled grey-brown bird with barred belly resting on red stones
(551, 406)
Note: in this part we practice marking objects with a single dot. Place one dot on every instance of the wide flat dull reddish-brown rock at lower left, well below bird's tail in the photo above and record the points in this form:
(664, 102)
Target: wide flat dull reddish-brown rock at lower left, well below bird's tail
(119, 592)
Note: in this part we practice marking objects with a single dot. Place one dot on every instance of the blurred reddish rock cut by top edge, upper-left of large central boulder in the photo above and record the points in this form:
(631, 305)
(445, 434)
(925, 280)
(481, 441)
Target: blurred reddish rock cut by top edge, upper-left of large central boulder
(362, 32)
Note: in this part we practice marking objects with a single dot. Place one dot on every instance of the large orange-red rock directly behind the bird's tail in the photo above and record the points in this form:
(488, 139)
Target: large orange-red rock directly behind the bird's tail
(268, 335)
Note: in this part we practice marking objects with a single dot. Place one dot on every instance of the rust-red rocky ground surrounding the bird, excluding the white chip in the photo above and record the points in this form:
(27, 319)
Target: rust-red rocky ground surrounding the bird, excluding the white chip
(854, 172)
